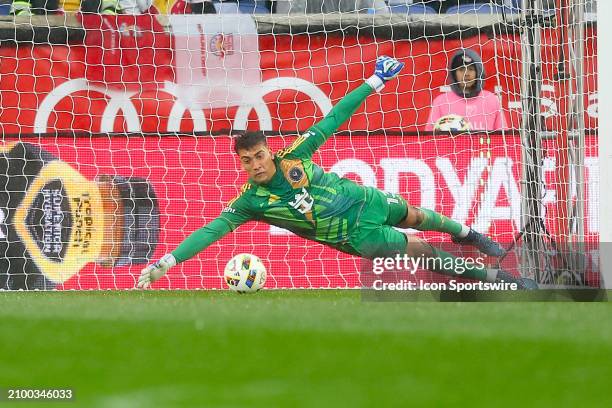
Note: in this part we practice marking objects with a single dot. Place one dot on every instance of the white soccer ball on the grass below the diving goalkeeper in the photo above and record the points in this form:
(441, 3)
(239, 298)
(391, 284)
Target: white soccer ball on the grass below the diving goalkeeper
(245, 273)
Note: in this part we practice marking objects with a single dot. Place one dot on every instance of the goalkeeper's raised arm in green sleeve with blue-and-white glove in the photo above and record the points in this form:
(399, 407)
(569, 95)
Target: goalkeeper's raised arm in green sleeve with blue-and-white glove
(305, 145)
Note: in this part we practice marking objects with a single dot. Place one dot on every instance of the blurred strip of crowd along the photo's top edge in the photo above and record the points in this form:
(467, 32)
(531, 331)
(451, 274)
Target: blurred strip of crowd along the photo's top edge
(110, 7)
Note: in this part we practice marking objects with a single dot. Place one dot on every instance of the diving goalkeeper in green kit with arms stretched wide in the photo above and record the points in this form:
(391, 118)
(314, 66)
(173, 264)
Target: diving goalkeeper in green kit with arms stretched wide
(288, 190)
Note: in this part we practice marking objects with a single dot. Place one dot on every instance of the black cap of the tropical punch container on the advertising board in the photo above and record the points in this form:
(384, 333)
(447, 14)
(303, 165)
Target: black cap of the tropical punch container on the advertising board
(140, 220)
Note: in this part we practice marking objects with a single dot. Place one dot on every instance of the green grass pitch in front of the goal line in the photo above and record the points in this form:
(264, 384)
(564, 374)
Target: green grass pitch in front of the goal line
(303, 349)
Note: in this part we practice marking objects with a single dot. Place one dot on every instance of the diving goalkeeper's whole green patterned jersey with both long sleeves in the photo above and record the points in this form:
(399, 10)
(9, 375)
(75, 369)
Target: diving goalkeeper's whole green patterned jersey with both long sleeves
(300, 197)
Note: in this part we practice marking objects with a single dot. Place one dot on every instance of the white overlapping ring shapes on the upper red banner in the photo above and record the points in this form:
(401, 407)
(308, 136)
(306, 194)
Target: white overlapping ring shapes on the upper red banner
(120, 101)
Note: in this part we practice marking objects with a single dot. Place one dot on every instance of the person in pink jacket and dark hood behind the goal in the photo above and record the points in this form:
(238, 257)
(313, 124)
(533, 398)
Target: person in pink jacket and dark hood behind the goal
(480, 109)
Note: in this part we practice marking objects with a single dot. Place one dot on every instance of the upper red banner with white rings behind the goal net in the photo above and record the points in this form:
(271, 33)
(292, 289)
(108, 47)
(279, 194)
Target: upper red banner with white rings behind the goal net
(81, 87)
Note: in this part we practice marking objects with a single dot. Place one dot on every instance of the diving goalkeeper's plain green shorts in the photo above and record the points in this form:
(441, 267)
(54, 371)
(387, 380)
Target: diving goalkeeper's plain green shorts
(374, 235)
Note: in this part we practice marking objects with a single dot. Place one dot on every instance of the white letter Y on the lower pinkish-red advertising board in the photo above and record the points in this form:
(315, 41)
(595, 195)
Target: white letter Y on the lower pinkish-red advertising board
(463, 194)
